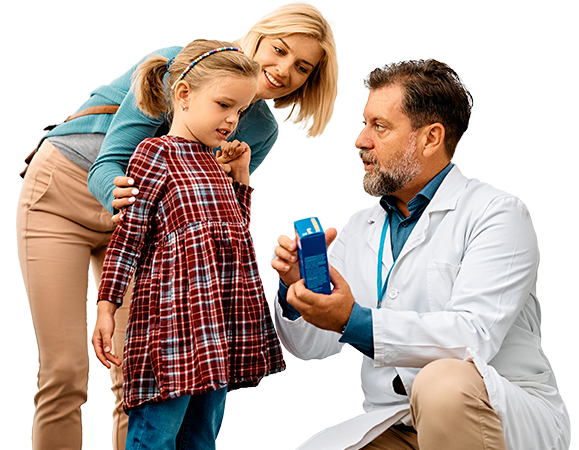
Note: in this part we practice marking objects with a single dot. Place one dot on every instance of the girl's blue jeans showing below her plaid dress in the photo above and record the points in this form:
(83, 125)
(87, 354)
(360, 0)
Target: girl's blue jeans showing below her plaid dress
(189, 422)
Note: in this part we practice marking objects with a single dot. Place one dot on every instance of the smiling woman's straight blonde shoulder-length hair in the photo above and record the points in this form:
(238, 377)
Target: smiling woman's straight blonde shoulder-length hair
(313, 103)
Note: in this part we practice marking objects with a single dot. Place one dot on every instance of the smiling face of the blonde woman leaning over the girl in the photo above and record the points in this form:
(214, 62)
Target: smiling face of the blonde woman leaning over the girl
(286, 63)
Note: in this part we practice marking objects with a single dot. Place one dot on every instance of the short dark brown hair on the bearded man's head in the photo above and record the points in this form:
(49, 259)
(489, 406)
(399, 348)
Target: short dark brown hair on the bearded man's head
(434, 93)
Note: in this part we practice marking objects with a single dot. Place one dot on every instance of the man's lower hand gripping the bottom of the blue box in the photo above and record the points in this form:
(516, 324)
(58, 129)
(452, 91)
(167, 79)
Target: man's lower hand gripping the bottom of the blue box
(328, 312)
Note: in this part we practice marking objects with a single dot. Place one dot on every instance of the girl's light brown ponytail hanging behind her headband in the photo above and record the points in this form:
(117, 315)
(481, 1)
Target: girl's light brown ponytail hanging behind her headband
(150, 90)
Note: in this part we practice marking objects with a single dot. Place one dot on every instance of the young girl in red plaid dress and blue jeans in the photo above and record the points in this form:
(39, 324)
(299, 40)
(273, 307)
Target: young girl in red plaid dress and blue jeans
(199, 323)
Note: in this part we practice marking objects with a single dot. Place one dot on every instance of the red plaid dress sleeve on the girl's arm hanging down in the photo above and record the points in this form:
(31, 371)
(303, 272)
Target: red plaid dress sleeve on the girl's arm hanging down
(148, 166)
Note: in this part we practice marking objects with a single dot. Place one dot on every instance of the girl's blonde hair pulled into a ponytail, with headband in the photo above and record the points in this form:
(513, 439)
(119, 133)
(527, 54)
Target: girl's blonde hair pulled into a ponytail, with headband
(153, 79)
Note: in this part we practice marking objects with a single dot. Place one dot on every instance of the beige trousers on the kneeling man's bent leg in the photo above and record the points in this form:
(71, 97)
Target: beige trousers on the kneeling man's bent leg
(450, 411)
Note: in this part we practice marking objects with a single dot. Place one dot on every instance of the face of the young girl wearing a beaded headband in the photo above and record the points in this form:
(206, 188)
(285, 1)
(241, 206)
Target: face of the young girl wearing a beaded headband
(211, 114)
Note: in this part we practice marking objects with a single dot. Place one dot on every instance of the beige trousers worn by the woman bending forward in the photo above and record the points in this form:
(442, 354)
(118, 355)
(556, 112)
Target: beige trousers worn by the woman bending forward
(61, 229)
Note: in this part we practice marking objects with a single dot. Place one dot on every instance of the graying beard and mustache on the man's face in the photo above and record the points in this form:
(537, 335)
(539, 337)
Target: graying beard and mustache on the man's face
(380, 181)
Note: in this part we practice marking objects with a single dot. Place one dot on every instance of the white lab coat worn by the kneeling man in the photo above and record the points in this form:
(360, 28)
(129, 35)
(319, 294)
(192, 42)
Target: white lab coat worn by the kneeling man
(464, 286)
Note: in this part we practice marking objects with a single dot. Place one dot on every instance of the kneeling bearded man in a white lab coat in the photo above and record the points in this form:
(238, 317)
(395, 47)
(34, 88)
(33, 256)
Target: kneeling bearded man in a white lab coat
(435, 285)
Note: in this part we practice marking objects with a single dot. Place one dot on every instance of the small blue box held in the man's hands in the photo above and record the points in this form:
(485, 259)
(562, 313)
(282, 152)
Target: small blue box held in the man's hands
(313, 255)
